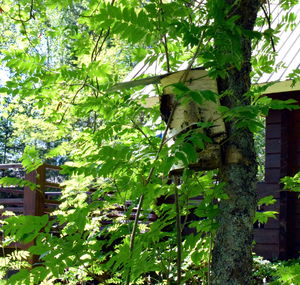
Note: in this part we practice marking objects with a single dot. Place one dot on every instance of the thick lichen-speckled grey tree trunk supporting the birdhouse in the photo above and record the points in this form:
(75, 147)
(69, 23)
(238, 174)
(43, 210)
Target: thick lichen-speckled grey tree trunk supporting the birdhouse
(232, 253)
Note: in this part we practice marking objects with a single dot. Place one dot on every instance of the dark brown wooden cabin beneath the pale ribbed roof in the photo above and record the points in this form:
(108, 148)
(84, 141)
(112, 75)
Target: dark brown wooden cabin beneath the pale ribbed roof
(280, 238)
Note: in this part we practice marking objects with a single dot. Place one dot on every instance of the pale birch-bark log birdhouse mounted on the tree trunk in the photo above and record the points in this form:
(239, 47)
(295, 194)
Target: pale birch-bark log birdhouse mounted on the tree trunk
(188, 114)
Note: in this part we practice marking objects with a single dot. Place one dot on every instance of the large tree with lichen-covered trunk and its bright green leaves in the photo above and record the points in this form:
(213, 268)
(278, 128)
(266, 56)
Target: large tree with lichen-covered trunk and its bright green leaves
(67, 78)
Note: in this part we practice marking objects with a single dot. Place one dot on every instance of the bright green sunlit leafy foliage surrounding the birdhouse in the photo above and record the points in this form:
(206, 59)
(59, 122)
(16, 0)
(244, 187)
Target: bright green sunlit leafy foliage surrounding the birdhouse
(63, 57)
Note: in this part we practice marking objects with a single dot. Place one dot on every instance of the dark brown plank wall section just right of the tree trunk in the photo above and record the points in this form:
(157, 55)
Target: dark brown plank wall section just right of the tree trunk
(271, 237)
